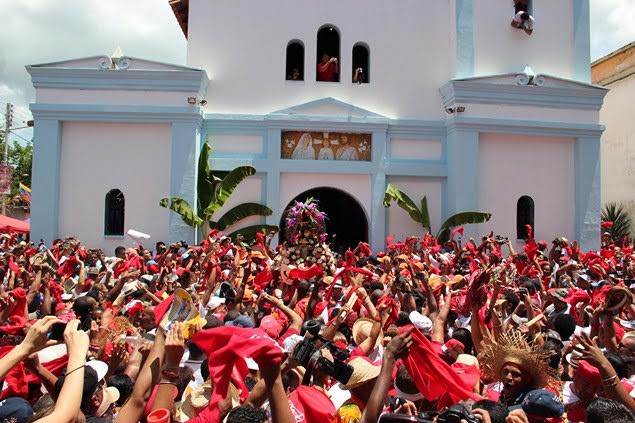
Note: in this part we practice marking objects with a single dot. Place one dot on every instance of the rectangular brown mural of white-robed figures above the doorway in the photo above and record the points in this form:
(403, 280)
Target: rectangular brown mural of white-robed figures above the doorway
(300, 145)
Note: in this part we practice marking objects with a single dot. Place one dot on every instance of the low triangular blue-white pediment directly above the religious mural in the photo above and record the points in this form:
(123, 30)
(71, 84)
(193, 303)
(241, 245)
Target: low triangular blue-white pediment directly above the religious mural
(329, 107)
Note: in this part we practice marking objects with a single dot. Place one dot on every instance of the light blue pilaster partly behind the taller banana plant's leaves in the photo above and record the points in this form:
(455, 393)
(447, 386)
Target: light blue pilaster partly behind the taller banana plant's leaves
(183, 175)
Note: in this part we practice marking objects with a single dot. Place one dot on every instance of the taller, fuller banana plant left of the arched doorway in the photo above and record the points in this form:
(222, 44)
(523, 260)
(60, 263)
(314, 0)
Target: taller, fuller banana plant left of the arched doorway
(212, 194)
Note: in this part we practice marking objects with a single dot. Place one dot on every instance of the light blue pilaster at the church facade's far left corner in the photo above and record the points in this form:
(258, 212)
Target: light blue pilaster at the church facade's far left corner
(47, 144)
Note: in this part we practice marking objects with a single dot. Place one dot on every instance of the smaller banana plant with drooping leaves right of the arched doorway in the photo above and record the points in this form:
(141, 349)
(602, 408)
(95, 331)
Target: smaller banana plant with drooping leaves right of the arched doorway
(419, 213)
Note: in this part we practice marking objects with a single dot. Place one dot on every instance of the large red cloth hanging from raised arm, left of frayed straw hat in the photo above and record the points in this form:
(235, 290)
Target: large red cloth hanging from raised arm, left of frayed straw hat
(433, 376)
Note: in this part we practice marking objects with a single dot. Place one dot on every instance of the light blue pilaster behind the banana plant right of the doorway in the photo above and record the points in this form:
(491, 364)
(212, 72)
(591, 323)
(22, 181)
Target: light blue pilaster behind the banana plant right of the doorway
(462, 186)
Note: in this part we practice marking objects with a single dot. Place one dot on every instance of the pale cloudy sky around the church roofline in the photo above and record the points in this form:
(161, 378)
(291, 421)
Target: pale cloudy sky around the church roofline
(37, 31)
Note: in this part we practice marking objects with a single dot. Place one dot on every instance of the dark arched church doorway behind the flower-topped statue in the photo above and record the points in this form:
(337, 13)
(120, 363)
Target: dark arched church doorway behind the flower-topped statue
(346, 221)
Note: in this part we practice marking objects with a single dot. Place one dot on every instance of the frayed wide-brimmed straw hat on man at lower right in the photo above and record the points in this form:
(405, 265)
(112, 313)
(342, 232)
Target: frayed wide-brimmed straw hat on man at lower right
(513, 349)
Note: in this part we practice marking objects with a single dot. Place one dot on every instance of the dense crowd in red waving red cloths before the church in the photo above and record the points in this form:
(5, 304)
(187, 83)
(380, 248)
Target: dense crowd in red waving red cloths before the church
(459, 331)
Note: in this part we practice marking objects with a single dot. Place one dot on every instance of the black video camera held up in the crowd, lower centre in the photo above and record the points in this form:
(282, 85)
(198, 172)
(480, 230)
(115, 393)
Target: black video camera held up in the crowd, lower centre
(307, 352)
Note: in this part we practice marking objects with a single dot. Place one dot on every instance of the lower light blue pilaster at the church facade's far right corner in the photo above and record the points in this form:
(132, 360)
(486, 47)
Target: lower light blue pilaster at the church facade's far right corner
(588, 201)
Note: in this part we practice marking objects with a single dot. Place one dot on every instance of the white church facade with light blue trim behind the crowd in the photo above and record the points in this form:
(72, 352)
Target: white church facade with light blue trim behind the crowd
(452, 103)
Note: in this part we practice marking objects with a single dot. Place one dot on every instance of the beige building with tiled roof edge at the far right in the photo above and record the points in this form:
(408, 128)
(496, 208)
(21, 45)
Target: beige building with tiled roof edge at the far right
(616, 72)
